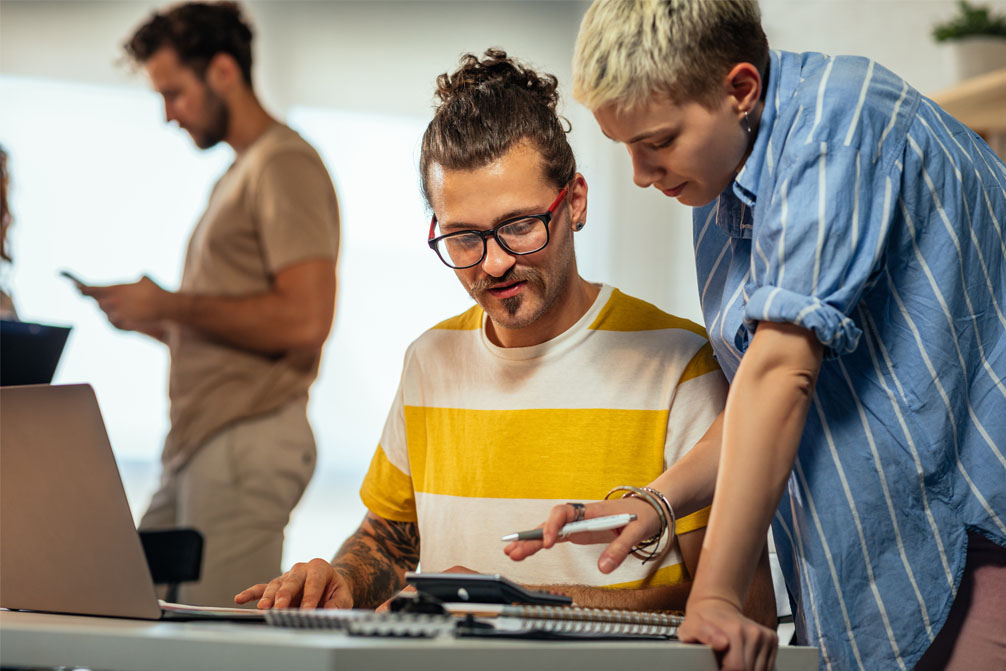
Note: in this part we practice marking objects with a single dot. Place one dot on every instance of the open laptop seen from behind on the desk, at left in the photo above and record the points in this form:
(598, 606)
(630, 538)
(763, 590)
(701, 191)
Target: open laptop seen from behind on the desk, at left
(68, 542)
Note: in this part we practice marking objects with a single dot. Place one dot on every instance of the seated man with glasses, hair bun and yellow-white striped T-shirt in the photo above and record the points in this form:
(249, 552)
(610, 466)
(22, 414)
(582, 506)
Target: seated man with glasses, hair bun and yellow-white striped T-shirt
(550, 390)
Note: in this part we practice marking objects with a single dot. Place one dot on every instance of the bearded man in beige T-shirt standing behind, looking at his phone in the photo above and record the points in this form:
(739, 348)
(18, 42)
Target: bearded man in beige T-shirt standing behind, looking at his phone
(247, 326)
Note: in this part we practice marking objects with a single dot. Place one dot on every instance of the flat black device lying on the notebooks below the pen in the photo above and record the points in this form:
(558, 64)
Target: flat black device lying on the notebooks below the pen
(481, 589)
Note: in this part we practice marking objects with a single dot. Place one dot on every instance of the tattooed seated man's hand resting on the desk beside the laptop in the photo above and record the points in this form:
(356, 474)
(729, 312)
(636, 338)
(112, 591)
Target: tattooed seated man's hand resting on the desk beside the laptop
(308, 586)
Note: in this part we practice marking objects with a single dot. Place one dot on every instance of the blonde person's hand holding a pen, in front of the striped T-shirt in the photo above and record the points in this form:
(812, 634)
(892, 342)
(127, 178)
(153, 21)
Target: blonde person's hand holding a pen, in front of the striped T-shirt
(620, 542)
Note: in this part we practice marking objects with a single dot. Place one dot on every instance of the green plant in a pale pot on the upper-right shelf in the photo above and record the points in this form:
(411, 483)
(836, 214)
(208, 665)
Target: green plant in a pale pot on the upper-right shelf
(977, 39)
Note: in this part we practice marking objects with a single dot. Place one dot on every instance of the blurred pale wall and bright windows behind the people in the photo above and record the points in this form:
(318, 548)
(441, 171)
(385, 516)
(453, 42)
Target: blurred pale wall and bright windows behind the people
(102, 188)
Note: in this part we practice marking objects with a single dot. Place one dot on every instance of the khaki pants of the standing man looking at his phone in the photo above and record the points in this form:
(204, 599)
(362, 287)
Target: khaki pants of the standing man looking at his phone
(239, 490)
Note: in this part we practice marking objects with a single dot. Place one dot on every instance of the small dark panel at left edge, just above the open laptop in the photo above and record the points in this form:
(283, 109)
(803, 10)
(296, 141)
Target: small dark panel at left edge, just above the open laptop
(30, 353)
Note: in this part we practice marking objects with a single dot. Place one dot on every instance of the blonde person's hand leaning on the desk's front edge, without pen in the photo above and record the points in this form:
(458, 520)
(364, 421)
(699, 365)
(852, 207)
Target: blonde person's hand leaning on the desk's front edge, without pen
(743, 644)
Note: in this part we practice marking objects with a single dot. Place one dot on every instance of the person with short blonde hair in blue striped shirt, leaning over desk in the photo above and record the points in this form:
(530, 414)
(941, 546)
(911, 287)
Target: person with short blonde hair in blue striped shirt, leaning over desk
(849, 238)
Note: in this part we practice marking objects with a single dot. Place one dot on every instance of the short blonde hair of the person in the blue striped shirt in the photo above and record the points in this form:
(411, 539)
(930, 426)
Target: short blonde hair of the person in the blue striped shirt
(629, 51)
